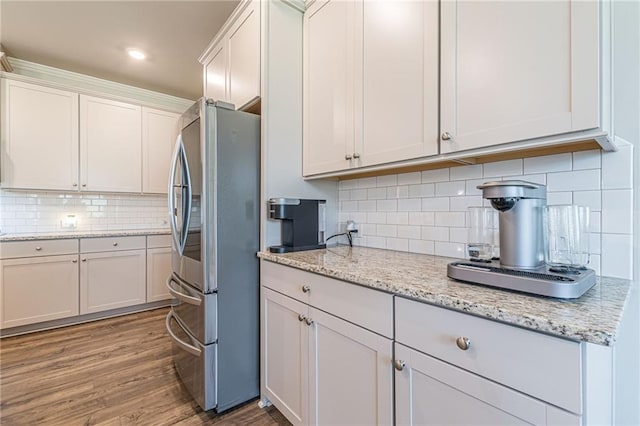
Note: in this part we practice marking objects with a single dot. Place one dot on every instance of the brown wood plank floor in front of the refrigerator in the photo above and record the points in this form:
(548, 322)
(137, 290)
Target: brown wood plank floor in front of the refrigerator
(111, 372)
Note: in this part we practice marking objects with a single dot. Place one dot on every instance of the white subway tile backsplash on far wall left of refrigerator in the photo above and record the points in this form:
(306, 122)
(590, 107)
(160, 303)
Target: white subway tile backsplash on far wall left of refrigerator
(32, 211)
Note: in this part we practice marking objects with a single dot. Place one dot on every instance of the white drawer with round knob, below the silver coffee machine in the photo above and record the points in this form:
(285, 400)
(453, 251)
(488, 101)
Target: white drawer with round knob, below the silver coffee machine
(542, 366)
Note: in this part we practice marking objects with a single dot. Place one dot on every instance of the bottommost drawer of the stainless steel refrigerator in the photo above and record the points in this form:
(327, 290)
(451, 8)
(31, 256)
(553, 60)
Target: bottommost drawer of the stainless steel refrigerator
(195, 363)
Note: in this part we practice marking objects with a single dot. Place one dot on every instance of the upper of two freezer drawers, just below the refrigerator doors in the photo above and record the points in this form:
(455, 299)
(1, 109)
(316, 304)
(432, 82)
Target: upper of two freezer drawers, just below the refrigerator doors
(196, 311)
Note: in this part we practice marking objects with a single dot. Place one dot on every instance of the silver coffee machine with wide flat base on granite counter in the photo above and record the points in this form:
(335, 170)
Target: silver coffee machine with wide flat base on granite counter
(522, 267)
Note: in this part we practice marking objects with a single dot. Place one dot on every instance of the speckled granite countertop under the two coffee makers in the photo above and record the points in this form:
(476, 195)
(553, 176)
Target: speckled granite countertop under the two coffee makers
(595, 317)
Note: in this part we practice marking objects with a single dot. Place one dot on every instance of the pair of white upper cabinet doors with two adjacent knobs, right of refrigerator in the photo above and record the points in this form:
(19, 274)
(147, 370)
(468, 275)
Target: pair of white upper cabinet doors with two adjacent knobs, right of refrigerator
(370, 83)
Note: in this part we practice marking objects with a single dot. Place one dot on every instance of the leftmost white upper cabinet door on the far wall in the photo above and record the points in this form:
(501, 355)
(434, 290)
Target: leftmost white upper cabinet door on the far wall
(39, 137)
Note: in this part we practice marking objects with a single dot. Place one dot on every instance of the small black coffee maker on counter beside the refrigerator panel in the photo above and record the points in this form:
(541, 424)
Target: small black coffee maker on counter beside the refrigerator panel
(303, 223)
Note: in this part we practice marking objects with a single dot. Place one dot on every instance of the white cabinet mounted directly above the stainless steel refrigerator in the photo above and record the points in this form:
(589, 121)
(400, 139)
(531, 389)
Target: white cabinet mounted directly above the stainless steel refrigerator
(232, 60)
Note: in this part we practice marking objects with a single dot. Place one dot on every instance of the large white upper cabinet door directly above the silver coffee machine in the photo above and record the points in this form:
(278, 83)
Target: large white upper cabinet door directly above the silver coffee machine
(517, 70)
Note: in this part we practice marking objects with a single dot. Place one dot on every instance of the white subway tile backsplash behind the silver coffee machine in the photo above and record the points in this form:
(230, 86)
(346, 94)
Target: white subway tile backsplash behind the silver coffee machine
(424, 212)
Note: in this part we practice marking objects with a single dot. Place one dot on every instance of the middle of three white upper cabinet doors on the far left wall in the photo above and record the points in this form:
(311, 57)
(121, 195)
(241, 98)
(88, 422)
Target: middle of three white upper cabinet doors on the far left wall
(110, 145)
